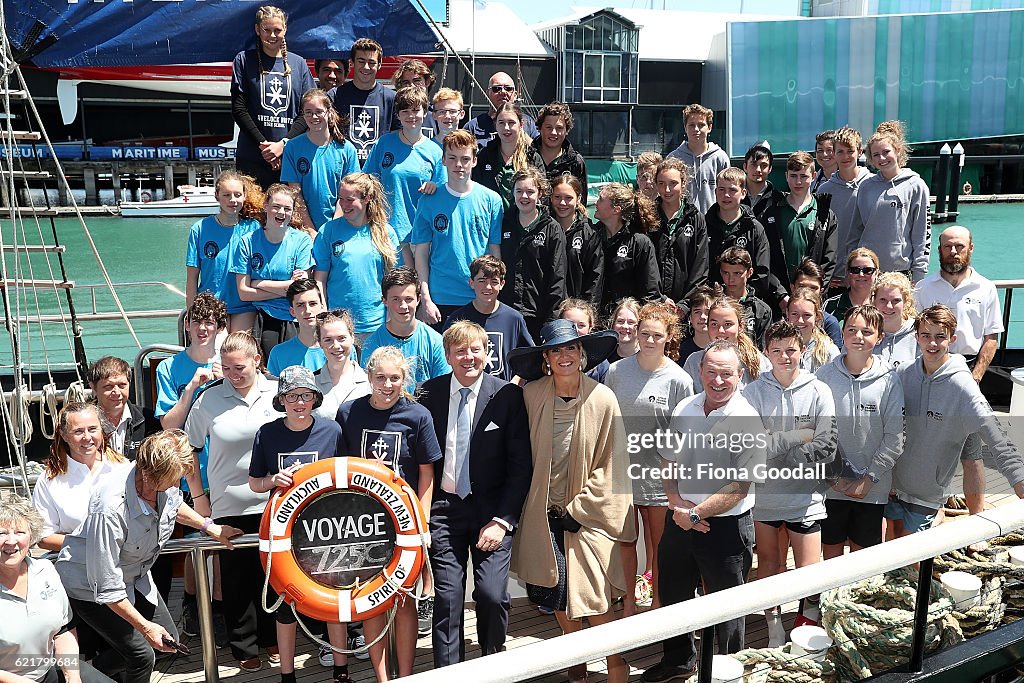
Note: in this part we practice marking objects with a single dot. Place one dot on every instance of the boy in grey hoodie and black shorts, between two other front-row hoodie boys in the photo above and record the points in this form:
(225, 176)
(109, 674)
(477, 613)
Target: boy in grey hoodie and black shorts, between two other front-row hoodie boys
(869, 400)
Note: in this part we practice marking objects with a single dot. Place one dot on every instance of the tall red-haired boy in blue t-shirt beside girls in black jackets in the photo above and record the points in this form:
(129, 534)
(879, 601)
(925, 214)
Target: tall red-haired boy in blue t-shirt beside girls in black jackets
(460, 223)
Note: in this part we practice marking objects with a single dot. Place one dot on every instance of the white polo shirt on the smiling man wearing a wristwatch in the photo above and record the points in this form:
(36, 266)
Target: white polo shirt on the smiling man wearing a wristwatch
(713, 450)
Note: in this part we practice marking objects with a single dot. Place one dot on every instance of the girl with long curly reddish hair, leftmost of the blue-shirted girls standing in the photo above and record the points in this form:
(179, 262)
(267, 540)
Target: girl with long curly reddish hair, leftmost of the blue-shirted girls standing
(214, 241)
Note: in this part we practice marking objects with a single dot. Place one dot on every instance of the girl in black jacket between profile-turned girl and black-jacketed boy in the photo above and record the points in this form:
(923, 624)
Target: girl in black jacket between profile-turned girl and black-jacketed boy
(681, 238)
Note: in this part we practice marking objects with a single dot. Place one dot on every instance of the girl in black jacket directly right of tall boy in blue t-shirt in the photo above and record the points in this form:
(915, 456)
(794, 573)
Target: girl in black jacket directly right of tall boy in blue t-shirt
(534, 251)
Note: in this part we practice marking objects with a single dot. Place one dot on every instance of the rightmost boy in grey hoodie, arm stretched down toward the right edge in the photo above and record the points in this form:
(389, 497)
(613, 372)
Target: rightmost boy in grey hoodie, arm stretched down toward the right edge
(945, 406)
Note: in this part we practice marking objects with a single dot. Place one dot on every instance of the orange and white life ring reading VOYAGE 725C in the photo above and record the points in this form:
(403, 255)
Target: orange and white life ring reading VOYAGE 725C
(363, 599)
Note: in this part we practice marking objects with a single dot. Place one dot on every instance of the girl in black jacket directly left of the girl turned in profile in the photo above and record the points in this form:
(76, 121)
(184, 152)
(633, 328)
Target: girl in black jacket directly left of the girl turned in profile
(584, 248)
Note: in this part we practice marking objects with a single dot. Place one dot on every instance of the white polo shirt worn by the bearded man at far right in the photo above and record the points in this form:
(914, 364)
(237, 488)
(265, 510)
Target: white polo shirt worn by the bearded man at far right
(975, 303)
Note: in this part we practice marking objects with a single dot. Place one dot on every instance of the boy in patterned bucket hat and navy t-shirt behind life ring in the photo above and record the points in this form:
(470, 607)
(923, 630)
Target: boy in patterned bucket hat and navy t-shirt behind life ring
(281, 448)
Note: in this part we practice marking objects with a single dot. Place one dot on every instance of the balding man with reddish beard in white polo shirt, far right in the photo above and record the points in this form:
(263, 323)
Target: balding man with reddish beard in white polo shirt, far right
(979, 322)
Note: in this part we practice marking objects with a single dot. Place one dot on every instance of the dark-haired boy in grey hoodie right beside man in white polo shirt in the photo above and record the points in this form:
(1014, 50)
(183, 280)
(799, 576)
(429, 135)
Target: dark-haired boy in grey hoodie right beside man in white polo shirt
(799, 415)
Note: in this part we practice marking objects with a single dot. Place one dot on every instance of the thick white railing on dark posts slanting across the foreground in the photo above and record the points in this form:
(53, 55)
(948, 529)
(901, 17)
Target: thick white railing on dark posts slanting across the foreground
(647, 629)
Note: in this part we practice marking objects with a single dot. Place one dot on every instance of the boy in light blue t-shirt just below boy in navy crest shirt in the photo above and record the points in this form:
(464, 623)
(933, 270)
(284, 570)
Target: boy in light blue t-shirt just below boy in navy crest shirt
(408, 165)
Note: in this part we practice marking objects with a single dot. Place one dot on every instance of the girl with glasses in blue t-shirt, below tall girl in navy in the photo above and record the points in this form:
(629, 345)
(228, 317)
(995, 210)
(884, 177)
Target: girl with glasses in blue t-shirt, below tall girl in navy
(317, 161)
